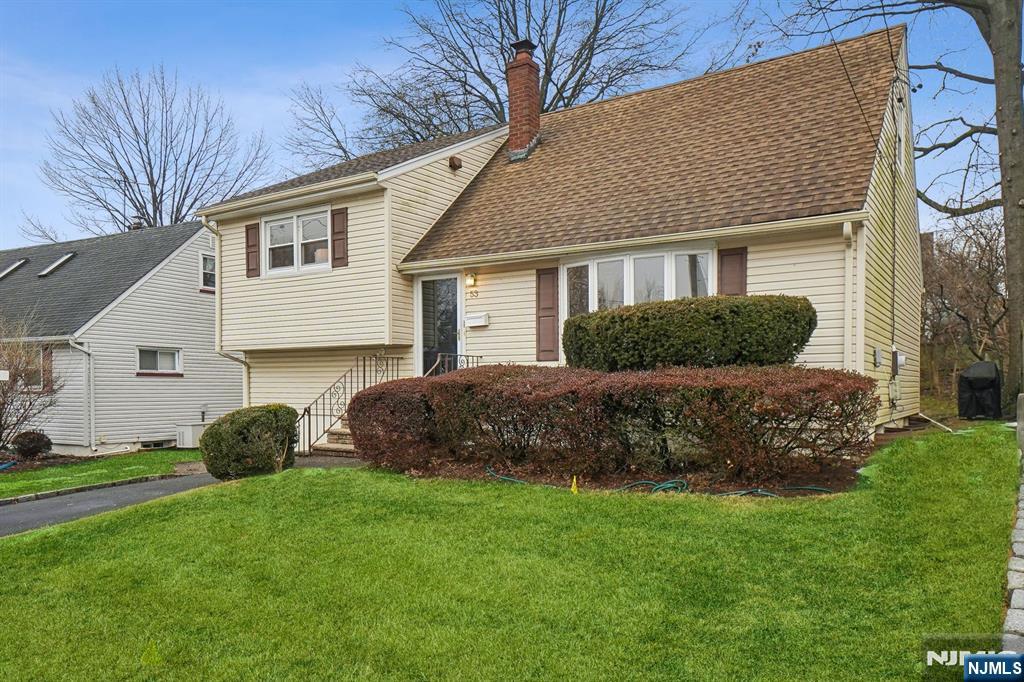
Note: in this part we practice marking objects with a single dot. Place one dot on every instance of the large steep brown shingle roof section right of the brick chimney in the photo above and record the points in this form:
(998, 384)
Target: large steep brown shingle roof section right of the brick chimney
(779, 140)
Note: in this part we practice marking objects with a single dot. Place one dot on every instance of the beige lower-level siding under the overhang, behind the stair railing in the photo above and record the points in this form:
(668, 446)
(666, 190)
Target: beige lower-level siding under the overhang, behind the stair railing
(297, 377)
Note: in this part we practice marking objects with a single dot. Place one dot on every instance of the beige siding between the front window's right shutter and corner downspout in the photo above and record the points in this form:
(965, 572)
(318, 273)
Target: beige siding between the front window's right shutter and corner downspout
(812, 267)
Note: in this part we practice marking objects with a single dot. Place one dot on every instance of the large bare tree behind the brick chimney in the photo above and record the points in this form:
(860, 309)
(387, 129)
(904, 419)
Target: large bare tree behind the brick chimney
(454, 77)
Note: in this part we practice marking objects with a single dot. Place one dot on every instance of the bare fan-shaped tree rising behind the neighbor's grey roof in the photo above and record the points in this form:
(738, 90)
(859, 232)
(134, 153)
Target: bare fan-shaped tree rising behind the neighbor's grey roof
(141, 147)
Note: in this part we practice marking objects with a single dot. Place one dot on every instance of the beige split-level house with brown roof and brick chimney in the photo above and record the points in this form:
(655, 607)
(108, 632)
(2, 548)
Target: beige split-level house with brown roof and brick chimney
(792, 176)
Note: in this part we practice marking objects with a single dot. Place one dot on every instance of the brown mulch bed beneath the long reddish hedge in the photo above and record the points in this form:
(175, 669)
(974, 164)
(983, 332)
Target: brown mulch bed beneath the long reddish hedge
(836, 479)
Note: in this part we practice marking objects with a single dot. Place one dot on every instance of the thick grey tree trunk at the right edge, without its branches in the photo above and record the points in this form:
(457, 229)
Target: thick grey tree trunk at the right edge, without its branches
(1001, 27)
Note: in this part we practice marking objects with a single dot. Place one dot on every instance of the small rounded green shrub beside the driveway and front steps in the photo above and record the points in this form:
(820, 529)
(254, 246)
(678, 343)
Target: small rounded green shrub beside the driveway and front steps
(250, 442)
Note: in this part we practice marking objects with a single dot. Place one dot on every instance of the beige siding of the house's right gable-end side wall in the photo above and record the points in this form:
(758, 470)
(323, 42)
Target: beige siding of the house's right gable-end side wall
(879, 275)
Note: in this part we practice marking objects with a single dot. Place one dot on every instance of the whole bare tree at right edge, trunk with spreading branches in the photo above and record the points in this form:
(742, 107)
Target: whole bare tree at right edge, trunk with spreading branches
(999, 22)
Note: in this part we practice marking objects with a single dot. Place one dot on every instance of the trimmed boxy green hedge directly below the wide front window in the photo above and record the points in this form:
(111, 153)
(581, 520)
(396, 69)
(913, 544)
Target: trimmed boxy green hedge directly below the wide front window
(713, 331)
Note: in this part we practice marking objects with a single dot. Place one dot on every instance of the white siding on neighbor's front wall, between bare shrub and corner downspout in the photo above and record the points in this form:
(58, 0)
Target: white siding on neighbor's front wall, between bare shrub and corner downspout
(67, 423)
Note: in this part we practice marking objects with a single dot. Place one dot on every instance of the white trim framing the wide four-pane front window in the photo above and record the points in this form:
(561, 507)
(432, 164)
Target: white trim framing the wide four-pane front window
(670, 274)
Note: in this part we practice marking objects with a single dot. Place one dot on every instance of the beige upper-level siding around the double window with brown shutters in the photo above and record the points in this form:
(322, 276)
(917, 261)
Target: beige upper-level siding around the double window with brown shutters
(343, 307)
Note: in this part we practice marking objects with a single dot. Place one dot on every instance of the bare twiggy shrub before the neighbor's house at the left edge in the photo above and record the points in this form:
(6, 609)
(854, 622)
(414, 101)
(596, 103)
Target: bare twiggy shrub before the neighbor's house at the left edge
(31, 389)
